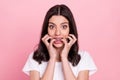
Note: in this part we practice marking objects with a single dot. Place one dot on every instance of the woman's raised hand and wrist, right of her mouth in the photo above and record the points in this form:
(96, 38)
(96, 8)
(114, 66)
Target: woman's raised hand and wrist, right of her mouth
(67, 45)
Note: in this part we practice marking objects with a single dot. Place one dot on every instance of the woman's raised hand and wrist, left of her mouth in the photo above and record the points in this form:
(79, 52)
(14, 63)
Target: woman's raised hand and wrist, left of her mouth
(51, 50)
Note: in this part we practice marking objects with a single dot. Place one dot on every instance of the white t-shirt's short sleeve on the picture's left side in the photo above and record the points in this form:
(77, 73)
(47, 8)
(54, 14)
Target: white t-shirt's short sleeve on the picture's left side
(30, 64)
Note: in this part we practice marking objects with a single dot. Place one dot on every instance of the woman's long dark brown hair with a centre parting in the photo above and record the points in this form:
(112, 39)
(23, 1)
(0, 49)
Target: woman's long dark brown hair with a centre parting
(41, 53)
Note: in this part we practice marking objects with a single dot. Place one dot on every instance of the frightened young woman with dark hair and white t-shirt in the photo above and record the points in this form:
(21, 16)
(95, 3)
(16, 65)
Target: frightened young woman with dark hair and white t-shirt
(58, 56)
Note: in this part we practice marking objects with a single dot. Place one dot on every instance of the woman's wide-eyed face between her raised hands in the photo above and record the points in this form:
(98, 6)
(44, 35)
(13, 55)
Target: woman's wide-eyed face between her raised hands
(58, 28)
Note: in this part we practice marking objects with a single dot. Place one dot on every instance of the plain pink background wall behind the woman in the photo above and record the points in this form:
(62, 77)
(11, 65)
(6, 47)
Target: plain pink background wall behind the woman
(98, 23)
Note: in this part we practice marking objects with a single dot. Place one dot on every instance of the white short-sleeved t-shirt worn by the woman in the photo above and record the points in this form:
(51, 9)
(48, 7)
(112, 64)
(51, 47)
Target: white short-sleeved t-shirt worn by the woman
(86, 63)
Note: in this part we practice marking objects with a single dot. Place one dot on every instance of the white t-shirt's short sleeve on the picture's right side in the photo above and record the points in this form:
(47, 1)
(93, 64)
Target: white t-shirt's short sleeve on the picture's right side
(86, 63)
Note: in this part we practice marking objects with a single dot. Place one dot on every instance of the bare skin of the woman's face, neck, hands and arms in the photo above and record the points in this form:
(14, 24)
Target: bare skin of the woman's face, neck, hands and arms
(58, 29)
